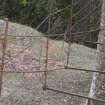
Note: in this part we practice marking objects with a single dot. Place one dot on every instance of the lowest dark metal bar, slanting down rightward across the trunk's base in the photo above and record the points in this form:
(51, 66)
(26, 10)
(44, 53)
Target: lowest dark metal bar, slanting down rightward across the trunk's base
(76, 95)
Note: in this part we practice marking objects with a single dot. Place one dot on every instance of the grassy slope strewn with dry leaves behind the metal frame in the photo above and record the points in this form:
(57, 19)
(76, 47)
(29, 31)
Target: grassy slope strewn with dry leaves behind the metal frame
(28, 54)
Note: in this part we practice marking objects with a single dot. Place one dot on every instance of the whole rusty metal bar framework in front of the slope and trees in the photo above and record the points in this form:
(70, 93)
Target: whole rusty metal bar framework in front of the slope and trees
(66, 67)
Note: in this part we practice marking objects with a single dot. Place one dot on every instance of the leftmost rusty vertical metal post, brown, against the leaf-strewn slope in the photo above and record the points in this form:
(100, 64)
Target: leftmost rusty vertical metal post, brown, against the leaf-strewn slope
(4, 43)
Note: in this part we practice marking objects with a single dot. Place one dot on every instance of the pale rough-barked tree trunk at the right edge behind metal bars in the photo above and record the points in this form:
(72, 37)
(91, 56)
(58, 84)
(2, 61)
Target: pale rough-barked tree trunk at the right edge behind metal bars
(98, 83)
